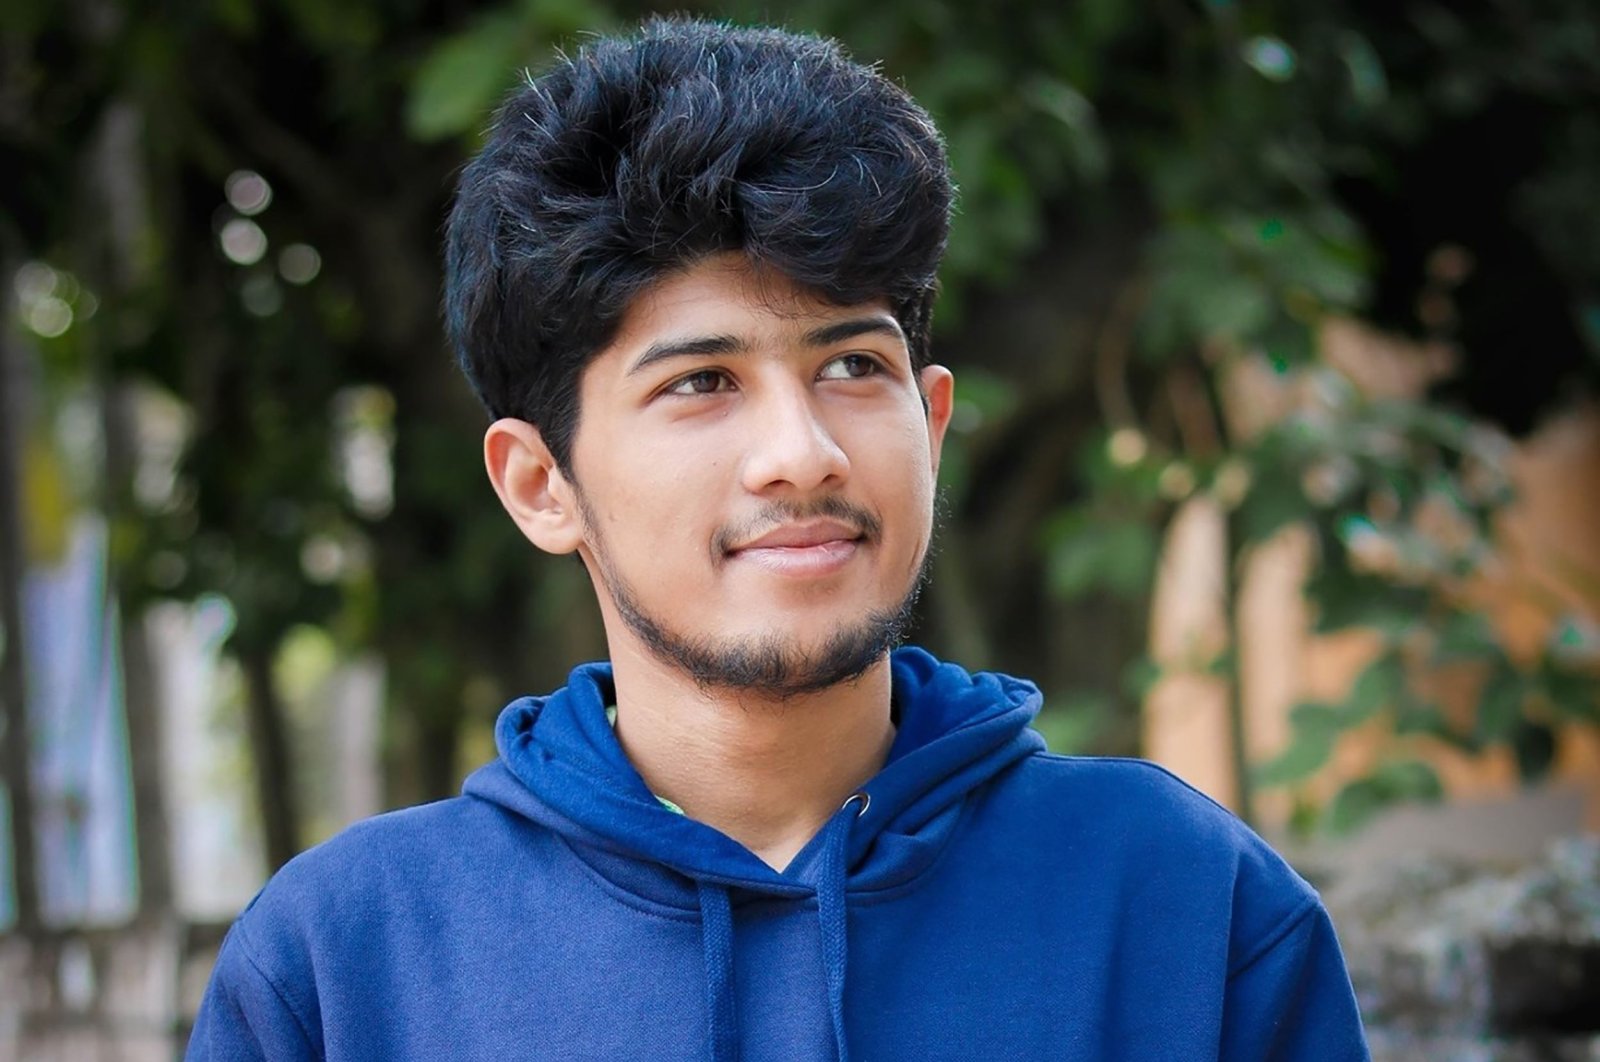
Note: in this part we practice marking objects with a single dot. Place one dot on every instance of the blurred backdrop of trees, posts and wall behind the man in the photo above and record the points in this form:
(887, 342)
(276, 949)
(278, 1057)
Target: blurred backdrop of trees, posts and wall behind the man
(1276, 458)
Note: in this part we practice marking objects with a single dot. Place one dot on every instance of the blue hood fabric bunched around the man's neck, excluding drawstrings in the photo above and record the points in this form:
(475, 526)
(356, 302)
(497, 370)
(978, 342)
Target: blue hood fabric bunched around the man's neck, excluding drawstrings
(562, 767)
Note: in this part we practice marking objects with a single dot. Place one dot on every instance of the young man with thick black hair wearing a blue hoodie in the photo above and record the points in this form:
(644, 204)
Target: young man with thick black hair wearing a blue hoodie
(690, 276)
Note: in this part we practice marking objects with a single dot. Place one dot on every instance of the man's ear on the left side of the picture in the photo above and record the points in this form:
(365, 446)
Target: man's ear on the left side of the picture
(532, 487)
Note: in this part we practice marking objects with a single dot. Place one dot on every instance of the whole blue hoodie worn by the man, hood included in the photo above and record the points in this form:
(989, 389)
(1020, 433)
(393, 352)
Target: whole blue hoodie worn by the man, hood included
(978, 900)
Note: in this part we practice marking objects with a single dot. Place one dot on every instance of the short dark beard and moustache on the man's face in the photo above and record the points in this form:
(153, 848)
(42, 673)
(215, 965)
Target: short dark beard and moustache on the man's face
(769, 665)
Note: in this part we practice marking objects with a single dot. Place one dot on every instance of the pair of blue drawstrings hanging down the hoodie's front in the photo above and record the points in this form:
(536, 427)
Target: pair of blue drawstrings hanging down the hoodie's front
(718, 940)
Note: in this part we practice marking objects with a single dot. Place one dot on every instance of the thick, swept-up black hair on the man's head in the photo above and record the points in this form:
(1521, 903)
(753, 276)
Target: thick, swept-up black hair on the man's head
(644, 154)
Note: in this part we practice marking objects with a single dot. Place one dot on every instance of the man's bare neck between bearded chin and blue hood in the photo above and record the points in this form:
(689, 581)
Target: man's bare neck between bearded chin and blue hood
(767, 772)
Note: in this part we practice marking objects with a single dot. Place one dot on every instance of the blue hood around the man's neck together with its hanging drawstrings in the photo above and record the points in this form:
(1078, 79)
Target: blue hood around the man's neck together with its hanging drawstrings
(562, 767)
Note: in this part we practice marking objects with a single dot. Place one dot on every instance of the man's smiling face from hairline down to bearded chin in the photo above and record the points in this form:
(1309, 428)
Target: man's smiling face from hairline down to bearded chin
(756, 477)
